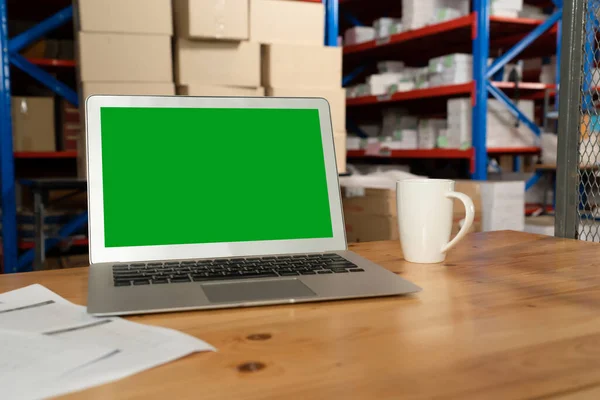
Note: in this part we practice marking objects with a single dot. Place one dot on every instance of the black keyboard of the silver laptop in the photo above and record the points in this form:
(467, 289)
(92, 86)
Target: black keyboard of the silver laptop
(157, 273)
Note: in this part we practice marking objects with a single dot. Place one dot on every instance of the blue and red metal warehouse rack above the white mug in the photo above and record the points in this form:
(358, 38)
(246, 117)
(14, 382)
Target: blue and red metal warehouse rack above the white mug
(476, 33)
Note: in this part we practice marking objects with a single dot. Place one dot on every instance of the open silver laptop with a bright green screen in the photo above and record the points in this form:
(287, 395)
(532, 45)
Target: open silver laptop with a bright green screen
(214, 202)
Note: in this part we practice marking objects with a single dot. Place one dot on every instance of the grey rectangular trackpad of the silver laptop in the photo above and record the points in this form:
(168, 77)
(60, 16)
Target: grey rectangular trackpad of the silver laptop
(233, 292)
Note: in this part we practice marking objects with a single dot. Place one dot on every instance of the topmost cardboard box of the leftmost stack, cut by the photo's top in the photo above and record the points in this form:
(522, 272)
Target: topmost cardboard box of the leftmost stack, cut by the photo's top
(125, 16)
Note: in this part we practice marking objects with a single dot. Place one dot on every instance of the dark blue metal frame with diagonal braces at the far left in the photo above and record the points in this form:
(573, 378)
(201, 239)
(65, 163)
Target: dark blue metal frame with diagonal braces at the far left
(10, 55)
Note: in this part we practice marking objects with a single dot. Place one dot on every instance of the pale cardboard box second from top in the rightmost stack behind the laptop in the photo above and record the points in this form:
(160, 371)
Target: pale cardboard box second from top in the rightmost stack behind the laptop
(296, 66)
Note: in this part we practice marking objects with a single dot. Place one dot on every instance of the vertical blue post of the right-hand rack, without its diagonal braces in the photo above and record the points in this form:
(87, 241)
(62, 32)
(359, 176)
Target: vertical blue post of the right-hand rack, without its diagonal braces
(481, 41)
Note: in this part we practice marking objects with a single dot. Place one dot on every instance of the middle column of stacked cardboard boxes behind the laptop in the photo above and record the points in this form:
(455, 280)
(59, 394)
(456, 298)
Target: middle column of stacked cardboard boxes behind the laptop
(213, 55)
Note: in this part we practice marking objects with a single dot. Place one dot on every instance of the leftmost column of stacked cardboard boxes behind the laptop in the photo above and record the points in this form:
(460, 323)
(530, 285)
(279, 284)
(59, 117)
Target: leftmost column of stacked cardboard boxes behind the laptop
(123, 47)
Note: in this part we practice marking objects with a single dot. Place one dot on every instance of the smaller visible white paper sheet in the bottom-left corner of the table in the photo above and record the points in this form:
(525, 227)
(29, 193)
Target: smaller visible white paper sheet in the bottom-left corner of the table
(30, 360)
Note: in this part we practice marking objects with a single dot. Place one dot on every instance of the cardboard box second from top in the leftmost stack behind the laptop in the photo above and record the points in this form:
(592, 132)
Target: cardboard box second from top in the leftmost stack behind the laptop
(106, 57)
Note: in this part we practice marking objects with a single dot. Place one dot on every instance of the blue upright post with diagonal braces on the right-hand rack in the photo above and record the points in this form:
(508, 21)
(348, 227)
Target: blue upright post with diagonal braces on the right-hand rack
(482, 75)
